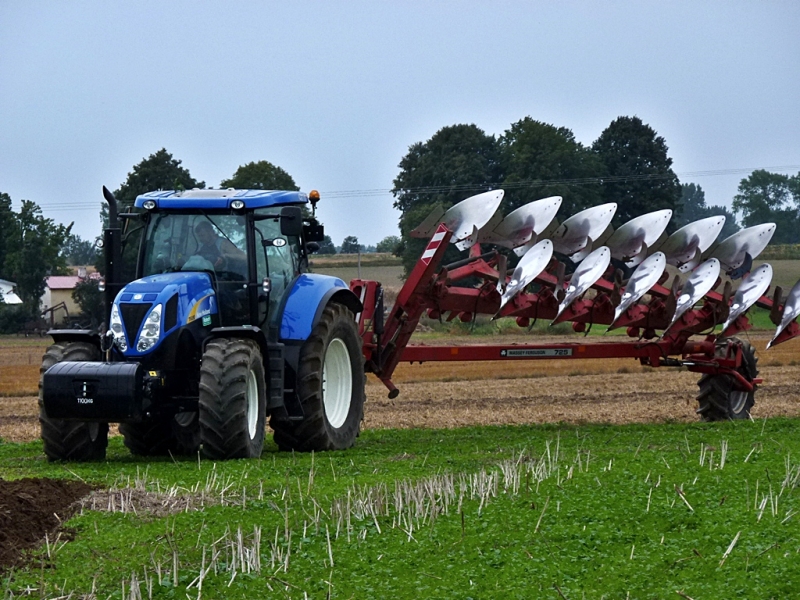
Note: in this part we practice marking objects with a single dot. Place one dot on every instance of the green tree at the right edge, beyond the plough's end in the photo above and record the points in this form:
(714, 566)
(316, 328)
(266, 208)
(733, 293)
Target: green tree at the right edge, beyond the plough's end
(766, 197)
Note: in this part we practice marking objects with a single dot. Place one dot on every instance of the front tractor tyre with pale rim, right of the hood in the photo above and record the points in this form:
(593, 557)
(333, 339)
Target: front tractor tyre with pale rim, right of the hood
(233, 400)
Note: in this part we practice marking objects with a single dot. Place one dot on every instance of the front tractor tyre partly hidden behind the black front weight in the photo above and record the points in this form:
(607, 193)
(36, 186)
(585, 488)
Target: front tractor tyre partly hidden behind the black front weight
(70, 440)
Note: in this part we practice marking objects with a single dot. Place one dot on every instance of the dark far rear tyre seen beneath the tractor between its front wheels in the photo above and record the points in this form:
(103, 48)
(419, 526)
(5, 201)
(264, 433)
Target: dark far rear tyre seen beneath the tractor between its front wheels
(162, 435)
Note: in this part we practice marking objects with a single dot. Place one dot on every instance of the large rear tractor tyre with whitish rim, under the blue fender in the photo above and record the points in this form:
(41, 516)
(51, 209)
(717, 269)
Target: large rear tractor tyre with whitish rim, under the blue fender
(330, 386)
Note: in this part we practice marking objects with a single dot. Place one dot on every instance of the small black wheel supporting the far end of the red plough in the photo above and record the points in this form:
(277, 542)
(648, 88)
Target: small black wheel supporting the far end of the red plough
(719, 400)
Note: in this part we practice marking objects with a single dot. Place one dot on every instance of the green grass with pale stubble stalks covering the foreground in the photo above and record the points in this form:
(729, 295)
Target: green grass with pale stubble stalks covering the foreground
(706, 510)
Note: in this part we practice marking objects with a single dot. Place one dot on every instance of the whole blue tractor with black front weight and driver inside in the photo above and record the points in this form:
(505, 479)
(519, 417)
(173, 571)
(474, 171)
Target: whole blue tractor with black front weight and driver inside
(219, 328)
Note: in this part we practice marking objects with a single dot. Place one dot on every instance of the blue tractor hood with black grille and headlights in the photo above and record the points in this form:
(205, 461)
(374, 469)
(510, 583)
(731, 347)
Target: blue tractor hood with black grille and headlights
(148, 310)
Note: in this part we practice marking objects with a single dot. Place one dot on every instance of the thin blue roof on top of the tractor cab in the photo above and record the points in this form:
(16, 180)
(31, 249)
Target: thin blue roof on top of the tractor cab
(211, 199)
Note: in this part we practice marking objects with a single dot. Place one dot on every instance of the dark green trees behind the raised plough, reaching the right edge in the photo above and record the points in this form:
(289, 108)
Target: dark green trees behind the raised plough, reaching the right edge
(628, 164)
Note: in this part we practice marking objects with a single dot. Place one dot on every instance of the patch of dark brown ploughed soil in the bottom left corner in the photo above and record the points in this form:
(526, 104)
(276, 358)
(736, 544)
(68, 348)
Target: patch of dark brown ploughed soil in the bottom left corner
(31, 509)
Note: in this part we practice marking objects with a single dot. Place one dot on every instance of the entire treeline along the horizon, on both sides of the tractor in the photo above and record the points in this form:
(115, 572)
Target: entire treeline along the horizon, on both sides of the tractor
(628, 164)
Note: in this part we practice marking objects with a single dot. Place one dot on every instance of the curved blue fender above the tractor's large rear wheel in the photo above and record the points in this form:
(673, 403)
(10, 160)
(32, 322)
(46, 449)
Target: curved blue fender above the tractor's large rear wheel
(308, 297)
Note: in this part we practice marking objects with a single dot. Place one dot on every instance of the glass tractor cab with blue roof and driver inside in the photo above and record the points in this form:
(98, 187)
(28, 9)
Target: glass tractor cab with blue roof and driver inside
(248, 242)
